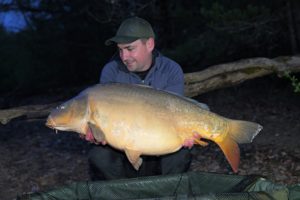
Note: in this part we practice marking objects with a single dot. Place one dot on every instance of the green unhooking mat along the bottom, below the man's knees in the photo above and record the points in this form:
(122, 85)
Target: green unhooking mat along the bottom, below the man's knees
(192, 185)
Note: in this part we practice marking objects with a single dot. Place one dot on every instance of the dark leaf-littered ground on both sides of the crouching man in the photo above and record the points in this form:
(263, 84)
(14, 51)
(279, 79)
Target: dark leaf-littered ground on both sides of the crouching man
(34, 158)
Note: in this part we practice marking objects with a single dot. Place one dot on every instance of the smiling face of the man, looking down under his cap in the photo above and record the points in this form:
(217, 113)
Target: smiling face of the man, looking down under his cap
(137, 56)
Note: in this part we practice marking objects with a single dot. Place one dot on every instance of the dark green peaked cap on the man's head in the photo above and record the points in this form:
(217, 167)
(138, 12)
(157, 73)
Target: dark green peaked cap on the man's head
(131, 30)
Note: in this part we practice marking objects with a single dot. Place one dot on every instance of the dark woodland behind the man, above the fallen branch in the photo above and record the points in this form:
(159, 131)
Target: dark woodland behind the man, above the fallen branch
(62, 44)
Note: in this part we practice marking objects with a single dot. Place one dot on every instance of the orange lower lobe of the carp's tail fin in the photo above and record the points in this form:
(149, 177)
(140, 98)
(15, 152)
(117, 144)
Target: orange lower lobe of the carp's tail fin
(231, 150)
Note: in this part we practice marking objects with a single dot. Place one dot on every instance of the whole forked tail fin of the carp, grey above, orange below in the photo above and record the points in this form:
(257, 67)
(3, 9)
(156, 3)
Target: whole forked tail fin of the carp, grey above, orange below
(239, 132)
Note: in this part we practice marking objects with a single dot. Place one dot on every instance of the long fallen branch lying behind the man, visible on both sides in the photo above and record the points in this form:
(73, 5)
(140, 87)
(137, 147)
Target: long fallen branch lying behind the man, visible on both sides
(214, 77)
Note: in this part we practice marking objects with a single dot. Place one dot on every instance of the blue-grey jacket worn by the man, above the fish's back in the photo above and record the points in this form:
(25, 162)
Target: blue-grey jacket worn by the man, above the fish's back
(165, 74)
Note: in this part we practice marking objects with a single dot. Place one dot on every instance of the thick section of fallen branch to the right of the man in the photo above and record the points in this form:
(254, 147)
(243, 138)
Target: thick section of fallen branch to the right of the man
(230, 74)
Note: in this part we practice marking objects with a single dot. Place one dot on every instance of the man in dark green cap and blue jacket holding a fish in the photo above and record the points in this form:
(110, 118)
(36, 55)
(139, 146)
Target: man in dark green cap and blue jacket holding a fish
(139, 63)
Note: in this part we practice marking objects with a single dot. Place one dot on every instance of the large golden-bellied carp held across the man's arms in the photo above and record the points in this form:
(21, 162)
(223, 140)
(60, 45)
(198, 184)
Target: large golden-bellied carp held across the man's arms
(143, 121)
